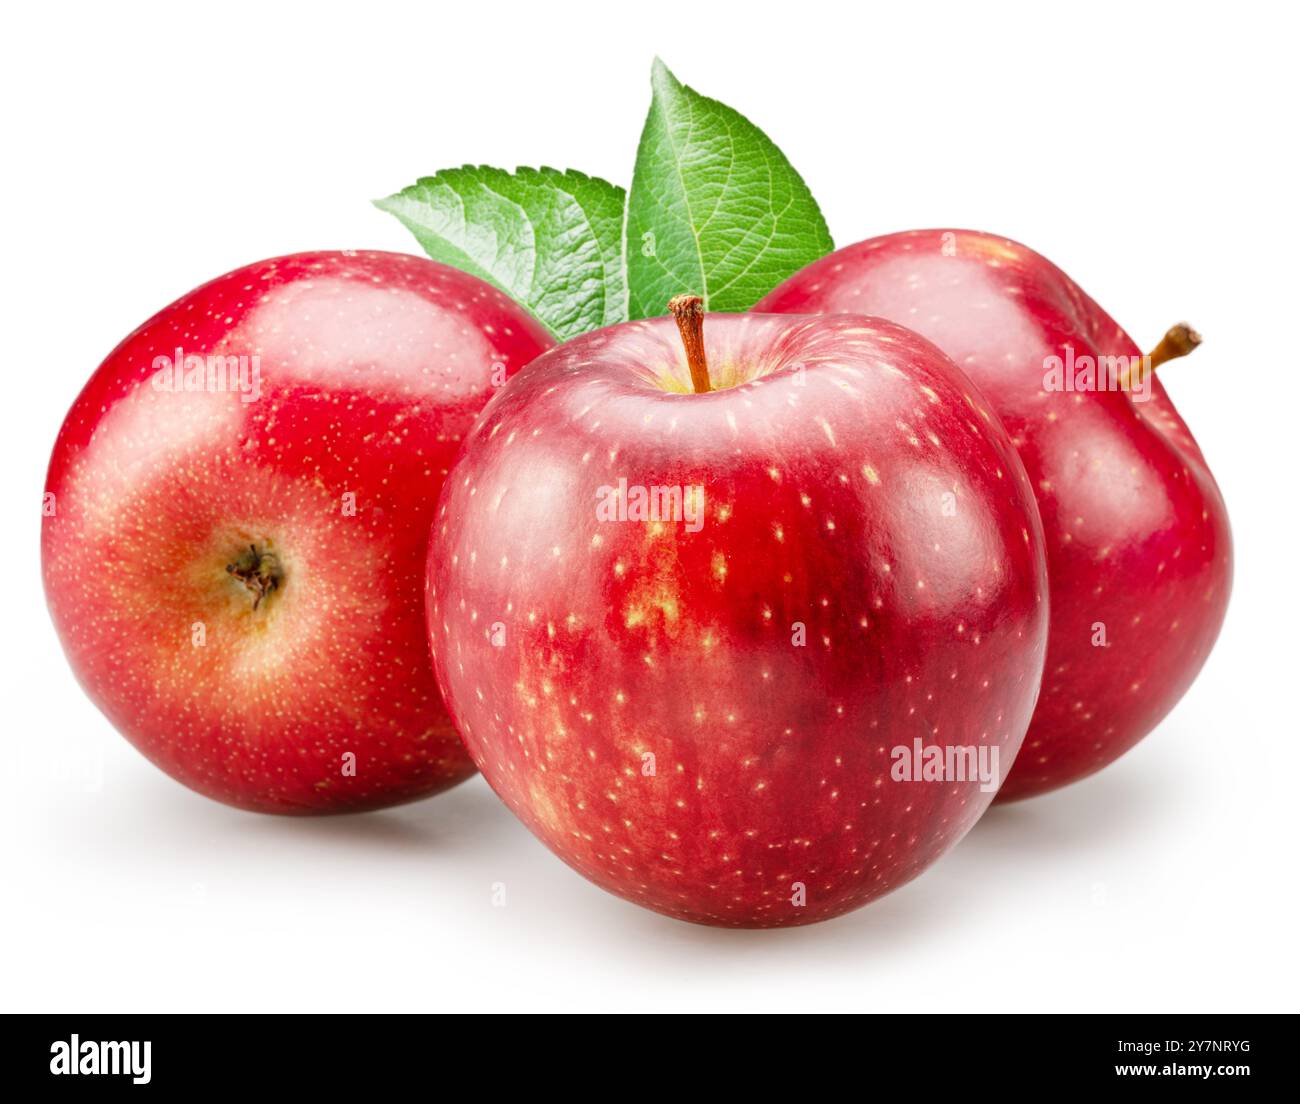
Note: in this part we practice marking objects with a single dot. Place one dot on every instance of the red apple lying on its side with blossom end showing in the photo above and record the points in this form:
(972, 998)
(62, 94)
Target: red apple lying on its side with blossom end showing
(372, 369)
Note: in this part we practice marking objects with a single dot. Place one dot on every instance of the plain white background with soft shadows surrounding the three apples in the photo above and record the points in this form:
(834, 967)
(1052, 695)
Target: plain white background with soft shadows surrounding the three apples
(1149, 151)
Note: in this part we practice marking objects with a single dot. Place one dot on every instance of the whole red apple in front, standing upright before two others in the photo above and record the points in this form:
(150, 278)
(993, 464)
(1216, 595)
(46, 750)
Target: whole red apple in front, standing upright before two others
(824, 496)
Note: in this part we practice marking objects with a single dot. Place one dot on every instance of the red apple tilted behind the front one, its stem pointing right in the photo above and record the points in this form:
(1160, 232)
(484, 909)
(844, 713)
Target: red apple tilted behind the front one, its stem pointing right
(1138, 535)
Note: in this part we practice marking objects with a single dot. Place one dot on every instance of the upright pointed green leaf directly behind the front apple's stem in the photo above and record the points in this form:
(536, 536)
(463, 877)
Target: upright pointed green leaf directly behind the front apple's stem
(716, 210)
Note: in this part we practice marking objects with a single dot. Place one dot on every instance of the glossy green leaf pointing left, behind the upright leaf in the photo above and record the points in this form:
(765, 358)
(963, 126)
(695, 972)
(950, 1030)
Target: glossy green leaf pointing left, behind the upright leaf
(553, 241)
